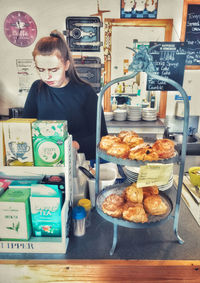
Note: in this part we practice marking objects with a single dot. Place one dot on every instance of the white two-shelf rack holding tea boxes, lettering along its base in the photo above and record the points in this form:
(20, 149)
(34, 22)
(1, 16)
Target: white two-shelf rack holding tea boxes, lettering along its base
(41, 244)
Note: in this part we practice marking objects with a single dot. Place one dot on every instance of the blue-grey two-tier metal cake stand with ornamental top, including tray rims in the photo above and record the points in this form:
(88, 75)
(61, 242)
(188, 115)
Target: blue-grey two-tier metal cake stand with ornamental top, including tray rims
(142, 65)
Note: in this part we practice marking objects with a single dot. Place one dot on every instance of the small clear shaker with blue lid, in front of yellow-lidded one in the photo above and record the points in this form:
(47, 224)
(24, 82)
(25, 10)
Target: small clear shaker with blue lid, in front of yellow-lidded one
(79, 217)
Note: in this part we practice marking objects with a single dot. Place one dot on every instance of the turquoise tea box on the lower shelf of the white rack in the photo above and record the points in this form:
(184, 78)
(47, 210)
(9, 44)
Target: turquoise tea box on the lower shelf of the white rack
(46, 202)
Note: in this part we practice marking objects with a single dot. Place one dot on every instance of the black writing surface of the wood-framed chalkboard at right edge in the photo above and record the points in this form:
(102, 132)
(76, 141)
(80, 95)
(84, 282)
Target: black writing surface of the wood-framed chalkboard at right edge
(192, 35)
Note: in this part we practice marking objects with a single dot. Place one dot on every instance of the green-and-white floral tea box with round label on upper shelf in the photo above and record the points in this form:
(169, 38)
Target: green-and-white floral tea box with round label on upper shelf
(49, 142)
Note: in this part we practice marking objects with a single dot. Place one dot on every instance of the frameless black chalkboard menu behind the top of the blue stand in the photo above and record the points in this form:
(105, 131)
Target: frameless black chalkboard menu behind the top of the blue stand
(169, 61)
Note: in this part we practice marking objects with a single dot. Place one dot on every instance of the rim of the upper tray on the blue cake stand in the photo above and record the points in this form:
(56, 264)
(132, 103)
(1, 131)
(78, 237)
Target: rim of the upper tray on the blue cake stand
(129, 162)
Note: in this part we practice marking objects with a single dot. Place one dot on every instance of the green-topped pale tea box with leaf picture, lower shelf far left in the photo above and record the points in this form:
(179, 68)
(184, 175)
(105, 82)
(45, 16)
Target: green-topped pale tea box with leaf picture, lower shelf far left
(15, 217)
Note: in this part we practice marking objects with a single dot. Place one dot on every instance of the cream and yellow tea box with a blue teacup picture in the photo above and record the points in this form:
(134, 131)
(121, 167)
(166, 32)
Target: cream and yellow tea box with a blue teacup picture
(18, 141)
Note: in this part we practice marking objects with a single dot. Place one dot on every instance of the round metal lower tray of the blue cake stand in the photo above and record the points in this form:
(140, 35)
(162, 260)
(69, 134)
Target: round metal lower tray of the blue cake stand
(118, 189)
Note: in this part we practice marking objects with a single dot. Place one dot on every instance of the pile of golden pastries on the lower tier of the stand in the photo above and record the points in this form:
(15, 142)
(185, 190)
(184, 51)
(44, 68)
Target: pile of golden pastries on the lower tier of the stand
(135, 204)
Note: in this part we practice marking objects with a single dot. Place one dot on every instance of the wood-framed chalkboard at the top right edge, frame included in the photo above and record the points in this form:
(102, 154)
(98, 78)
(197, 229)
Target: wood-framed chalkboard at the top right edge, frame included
(190, 33)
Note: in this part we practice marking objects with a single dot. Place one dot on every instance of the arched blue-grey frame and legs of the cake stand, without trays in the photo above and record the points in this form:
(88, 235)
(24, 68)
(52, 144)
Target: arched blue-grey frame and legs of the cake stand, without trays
(142, 62)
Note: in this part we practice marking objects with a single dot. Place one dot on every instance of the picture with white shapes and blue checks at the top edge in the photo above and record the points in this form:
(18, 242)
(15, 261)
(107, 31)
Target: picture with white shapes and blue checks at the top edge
(139, 9)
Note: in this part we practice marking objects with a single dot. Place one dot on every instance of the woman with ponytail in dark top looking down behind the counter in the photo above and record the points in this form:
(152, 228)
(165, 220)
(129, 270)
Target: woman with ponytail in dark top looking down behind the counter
(61, 95)
